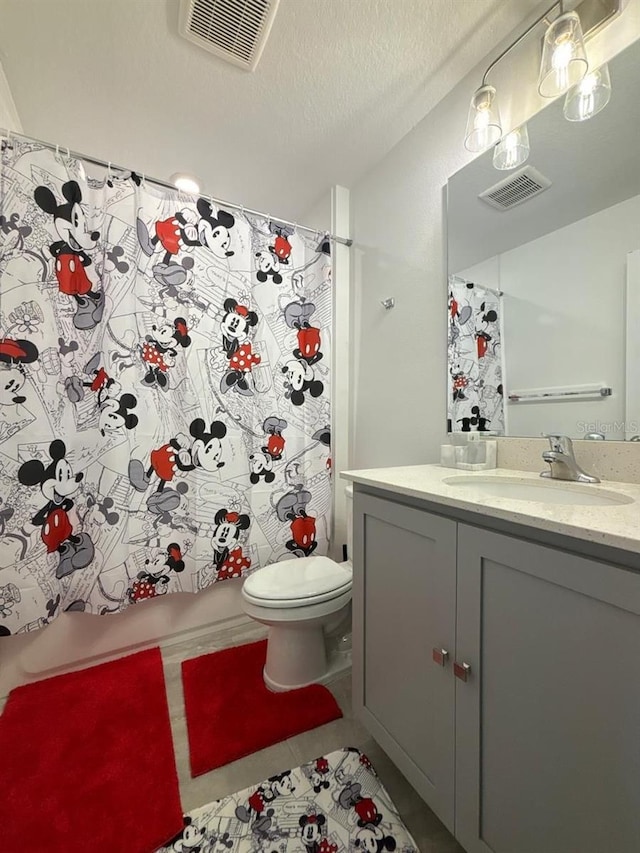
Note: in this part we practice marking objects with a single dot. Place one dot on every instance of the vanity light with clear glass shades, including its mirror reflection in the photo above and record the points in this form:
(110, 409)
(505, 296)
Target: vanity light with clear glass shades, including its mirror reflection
(563, 66)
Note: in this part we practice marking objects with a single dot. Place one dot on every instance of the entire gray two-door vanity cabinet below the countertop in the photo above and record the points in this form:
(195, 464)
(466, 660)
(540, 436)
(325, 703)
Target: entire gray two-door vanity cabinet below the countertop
(538, 750)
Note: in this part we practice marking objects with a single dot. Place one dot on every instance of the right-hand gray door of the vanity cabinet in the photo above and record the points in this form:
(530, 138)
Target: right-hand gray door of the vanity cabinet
(548, 722)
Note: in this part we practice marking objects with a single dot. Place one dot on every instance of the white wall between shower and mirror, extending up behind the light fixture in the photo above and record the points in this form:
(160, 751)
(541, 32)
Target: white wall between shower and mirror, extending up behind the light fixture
(400, 251)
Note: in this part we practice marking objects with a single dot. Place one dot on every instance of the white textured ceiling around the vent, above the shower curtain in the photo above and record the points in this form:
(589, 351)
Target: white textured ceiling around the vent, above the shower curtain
(340, 82)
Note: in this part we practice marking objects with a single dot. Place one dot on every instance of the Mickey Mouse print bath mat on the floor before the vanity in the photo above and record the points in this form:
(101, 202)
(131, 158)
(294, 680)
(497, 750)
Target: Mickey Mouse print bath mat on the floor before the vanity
(333, 804)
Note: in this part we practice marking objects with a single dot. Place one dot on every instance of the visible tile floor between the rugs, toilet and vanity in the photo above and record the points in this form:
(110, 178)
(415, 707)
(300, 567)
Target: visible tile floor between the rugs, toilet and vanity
(429, 833)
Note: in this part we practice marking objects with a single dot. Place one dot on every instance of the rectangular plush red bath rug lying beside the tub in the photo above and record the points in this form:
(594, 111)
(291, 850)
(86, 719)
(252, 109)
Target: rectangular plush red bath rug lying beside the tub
(87, 761)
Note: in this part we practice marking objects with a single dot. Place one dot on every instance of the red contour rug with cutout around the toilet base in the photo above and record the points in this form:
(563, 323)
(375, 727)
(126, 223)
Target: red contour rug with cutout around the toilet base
(231, 713)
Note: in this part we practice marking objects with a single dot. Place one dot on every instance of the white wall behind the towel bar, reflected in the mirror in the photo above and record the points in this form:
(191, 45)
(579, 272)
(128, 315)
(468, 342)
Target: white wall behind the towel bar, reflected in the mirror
(563, 312)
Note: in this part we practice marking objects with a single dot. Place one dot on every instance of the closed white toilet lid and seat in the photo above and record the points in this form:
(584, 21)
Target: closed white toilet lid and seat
(297, 583)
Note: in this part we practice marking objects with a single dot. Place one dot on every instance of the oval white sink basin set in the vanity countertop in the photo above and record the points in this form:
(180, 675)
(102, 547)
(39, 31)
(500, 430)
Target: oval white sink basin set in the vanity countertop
(556, 492)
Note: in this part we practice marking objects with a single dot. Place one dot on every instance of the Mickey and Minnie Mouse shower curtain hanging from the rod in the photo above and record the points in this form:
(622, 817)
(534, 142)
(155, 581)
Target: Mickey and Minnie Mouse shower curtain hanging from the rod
(165, 391)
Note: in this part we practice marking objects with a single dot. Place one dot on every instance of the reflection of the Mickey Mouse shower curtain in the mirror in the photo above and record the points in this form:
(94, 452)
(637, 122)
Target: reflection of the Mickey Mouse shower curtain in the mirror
(474, 358)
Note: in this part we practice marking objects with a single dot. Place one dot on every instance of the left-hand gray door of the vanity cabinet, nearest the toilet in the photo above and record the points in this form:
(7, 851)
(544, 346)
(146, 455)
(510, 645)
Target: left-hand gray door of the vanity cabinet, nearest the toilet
(404, 608)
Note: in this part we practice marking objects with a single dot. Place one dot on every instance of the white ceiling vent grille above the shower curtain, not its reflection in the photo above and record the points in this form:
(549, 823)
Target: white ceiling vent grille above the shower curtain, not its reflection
(235, 30)
